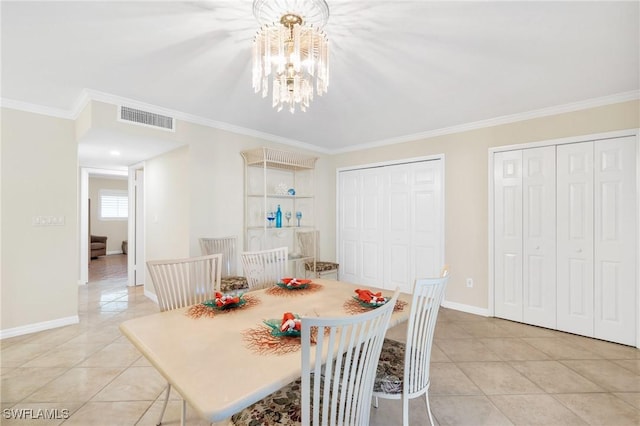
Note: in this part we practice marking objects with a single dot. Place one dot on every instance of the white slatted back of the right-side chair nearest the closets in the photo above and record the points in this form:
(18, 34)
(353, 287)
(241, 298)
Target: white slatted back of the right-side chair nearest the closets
(428, 294)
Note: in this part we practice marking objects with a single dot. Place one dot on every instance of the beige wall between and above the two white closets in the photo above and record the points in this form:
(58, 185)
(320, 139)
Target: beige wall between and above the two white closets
(466, 181)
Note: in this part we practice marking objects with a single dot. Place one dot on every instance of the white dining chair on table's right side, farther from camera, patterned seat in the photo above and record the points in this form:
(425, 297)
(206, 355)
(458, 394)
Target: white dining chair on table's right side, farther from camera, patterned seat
(403, 369)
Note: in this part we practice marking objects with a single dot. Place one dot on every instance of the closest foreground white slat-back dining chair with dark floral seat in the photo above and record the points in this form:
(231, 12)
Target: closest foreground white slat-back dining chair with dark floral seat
(338, 372)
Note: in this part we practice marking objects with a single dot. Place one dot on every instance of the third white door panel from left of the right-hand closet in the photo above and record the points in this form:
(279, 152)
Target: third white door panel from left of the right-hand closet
(575, 238)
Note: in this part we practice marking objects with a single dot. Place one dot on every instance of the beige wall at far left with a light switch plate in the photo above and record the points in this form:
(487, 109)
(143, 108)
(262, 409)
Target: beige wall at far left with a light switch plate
(39, 264)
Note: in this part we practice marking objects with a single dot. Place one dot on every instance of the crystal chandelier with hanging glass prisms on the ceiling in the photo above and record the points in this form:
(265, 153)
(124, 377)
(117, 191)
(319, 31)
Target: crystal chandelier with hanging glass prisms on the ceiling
(292, 50)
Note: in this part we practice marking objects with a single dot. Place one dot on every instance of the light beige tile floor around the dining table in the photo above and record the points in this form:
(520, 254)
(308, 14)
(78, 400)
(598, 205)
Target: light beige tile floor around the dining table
(485, 371)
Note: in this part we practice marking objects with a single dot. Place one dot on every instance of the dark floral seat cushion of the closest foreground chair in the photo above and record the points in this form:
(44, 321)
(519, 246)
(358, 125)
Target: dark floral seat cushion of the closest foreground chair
(282, 407)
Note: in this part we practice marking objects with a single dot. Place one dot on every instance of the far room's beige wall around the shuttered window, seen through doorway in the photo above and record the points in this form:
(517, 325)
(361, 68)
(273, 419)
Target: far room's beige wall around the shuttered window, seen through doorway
(114, 230)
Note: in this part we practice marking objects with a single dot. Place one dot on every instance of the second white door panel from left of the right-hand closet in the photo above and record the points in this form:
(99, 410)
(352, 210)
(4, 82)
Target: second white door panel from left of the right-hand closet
(539, 236)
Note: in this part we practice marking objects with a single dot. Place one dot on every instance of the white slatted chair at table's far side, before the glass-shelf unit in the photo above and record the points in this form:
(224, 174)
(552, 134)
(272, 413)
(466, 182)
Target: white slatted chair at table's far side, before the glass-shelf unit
(265, 268)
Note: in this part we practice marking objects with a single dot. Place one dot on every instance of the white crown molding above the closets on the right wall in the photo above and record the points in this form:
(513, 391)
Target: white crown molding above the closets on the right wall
(505, 119)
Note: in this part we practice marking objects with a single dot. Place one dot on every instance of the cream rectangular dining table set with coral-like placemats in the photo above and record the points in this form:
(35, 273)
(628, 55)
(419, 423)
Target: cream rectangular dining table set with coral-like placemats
(213, 362)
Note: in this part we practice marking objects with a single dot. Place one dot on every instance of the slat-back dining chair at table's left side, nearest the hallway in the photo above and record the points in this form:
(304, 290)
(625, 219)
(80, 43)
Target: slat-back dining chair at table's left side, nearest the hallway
(183, 282)
